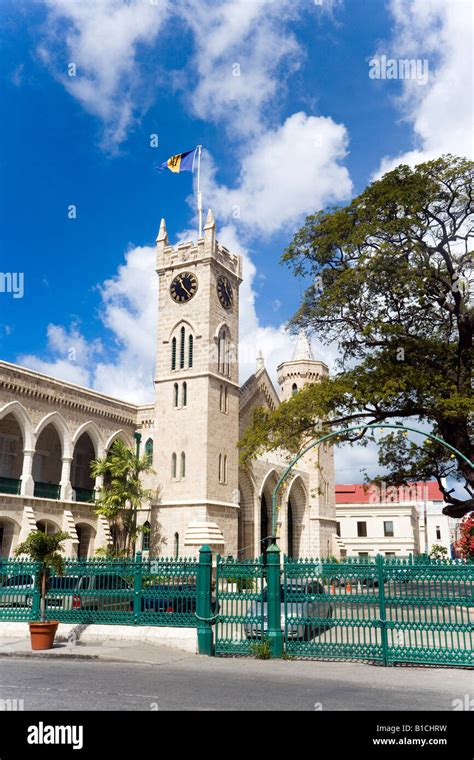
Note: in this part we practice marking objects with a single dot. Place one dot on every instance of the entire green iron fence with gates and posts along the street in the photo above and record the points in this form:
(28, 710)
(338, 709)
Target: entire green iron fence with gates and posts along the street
(381, 609)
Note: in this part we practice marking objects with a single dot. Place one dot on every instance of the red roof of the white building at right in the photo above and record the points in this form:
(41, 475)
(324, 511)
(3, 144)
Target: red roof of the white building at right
(359, 493)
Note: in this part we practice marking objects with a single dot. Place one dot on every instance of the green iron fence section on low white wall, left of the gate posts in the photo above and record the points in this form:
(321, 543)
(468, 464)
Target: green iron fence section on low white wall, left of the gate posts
(122, 592)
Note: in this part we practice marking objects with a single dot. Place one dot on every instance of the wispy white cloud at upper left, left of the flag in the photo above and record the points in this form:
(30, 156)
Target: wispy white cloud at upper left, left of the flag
(101, 37)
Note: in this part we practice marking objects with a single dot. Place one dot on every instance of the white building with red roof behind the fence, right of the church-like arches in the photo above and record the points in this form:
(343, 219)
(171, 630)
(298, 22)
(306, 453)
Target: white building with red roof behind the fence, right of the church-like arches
(390, 521)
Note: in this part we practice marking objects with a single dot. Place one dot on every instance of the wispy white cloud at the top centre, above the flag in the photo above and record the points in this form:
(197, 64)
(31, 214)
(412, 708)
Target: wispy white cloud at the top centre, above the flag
(239, 48)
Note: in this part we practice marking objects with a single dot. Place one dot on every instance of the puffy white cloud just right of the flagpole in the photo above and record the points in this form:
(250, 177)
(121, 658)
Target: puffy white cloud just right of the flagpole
(289, 172)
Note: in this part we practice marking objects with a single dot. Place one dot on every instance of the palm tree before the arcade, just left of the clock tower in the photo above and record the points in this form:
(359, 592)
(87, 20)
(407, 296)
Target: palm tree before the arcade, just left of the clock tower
(122, 494)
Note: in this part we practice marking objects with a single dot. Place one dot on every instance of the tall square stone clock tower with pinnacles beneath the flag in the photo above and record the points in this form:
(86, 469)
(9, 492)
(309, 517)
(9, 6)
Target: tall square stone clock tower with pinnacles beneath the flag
(197, 393)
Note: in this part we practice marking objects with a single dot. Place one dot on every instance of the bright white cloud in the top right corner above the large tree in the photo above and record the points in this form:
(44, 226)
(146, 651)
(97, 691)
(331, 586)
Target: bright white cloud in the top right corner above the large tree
(441, 112)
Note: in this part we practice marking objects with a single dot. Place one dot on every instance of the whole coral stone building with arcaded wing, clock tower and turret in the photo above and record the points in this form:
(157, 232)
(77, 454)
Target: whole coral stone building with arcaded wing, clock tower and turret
(50, 431)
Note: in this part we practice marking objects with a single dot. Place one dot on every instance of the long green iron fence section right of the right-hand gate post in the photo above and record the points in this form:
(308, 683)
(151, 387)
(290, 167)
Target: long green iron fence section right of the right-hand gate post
(382, 609)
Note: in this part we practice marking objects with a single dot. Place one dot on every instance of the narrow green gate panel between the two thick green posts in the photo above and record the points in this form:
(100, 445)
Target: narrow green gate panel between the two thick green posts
(241, 620)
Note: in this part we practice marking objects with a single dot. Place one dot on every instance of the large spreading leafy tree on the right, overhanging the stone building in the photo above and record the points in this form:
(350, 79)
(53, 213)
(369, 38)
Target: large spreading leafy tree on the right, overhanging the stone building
(391, 274)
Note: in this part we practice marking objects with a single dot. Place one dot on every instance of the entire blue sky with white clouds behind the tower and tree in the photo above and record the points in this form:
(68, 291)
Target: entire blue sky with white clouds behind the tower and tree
(302, 127)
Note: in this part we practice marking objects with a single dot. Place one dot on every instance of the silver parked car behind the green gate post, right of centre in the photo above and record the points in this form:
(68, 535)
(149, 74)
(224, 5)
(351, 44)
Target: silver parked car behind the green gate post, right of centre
(303, 606)
